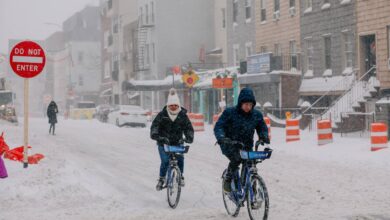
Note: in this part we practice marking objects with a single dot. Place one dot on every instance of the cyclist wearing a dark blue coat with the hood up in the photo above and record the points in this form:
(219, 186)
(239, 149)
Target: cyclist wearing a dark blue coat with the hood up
(238, 124)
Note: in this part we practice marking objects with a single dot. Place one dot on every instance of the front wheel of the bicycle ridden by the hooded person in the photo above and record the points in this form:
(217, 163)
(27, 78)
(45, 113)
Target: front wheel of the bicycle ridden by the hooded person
(258, 202)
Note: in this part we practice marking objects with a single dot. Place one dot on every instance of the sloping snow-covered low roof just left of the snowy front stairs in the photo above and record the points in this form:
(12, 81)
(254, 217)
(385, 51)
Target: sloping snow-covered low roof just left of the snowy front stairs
(321, 84)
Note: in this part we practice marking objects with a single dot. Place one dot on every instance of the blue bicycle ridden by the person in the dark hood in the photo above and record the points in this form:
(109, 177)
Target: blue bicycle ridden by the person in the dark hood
(248, 185)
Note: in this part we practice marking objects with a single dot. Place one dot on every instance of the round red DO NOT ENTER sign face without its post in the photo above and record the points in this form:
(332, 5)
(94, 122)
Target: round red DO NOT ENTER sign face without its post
(27, 59)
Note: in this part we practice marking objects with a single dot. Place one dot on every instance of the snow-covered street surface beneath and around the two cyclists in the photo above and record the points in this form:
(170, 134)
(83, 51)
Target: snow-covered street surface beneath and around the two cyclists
(98, 171)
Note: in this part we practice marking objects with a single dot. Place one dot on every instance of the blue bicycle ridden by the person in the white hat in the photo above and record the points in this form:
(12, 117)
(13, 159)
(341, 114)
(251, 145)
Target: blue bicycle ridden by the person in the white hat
(173, 176)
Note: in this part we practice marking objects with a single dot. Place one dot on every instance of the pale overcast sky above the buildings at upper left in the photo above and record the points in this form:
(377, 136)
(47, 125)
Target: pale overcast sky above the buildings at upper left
(25, 19)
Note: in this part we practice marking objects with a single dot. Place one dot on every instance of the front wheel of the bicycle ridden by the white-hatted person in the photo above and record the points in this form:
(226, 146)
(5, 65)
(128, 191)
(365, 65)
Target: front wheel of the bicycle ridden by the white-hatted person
(173, 187)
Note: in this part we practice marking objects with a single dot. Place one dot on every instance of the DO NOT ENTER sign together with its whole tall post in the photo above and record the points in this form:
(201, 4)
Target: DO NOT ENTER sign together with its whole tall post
(27, 60)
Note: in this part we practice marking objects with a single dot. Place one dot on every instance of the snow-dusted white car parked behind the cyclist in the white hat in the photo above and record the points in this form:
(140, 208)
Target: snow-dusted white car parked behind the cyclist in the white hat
(128, 115)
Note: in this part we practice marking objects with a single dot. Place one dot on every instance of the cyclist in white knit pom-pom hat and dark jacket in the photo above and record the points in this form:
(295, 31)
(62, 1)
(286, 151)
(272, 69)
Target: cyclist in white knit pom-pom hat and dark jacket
(168, 128)
